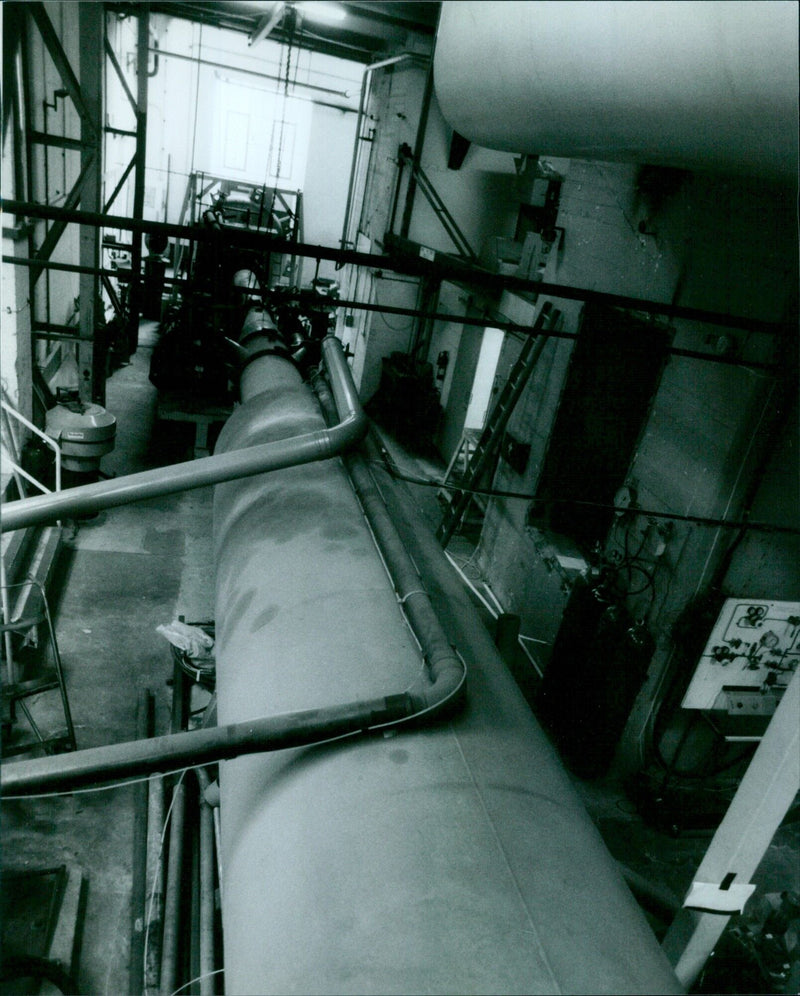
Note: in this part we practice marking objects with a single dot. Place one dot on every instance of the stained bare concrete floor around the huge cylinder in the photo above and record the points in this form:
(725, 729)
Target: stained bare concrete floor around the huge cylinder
(129, 570)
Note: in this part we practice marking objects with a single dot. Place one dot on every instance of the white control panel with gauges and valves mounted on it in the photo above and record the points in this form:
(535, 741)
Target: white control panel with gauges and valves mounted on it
(753, 651)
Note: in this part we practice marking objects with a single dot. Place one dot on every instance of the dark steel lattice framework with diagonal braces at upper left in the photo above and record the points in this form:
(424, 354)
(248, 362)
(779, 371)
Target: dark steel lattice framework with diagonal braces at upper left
(84, 89)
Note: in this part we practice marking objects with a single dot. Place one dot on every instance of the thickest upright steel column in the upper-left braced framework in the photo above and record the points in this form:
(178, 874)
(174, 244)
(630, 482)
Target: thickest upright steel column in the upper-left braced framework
(91, 355)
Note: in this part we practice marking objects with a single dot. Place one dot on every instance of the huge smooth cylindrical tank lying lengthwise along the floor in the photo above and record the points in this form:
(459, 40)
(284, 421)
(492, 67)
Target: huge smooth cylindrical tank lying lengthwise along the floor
(450, 856)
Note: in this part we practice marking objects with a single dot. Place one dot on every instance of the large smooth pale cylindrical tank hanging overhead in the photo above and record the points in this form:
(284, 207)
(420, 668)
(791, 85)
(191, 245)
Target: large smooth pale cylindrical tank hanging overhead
(698, 85)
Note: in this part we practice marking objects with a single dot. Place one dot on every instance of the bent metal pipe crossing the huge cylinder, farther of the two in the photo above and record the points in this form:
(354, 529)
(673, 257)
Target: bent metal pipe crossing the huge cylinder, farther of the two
(306, 448)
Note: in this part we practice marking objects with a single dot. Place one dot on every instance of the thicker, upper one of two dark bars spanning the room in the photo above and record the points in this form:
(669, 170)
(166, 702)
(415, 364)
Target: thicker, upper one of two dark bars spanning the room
(406, 260)
